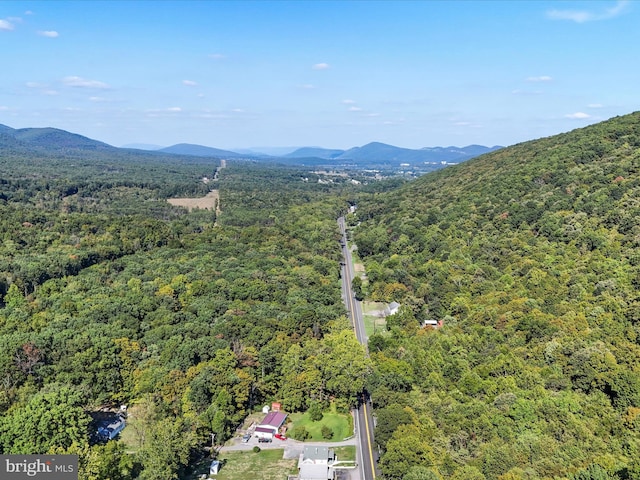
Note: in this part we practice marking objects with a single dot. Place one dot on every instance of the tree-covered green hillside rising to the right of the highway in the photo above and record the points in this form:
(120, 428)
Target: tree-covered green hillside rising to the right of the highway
(529, 255)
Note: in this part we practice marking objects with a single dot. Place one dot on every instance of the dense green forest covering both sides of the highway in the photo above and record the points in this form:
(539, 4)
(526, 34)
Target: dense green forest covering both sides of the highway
(528, 256)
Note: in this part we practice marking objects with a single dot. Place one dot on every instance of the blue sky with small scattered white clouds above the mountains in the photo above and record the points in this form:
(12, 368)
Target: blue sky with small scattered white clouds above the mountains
(332, 74)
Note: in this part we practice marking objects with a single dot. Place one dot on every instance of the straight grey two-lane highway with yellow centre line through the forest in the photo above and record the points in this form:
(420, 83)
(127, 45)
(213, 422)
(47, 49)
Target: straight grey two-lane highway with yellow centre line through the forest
(367, 459)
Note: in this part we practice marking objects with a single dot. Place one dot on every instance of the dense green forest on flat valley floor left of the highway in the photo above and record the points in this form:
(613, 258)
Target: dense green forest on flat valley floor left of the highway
(112, 296)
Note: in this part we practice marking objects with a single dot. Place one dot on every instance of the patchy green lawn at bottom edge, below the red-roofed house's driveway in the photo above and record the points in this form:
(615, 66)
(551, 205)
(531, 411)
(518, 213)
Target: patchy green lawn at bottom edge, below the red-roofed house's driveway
(266, 465)
